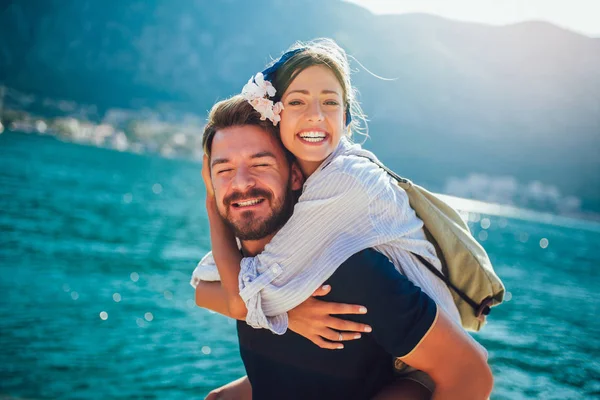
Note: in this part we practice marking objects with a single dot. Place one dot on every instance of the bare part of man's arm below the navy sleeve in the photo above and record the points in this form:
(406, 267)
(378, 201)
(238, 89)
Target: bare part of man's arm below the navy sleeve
(453, 360)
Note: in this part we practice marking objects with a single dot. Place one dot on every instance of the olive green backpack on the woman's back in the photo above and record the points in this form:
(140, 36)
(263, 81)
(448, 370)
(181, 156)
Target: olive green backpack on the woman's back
(466, 267)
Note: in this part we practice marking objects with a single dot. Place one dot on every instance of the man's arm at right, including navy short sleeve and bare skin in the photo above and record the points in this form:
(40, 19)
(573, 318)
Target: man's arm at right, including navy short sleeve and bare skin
(408, 324)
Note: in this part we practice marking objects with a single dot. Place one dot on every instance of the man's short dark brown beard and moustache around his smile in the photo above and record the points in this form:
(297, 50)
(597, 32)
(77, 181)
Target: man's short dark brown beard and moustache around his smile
(248, 227)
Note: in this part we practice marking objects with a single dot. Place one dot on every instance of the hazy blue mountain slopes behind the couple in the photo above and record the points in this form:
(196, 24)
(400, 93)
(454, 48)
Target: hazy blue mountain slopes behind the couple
(521, 100)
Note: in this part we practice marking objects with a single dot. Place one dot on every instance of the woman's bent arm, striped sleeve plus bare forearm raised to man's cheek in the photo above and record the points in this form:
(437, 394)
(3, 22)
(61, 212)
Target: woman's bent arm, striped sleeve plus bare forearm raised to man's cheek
(331, 221)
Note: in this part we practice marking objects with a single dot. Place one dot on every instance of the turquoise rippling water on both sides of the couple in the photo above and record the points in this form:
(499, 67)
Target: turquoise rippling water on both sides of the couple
(85, 231)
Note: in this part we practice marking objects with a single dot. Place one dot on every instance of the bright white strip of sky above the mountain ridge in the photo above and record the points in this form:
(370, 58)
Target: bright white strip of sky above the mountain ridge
(578, 15)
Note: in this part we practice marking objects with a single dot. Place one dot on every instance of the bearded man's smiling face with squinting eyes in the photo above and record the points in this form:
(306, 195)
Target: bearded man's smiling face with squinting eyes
(252, 180)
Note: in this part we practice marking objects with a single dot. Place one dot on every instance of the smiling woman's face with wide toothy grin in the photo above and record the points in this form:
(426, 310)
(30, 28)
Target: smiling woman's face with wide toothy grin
(313, 120)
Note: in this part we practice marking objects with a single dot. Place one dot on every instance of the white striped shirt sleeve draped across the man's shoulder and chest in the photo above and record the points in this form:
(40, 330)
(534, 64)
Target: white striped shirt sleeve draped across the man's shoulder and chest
(330, 223)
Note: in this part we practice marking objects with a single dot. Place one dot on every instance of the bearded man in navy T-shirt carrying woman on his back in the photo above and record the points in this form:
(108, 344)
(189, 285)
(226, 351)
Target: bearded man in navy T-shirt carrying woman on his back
(247, 159)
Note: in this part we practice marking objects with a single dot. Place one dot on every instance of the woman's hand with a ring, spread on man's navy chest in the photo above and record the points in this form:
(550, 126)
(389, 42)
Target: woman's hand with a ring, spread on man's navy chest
(312, 319)
